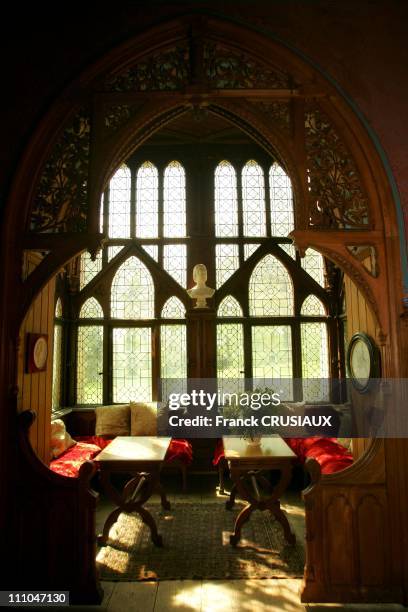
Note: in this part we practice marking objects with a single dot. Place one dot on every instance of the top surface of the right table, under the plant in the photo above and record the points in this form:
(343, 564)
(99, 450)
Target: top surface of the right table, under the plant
(270, 448)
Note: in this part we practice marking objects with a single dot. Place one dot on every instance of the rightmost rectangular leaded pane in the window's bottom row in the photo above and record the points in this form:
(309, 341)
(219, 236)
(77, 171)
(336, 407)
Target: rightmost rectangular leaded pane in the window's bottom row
(315, 361)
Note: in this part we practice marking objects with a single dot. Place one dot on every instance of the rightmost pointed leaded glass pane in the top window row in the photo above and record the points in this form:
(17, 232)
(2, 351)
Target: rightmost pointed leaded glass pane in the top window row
(282, 222)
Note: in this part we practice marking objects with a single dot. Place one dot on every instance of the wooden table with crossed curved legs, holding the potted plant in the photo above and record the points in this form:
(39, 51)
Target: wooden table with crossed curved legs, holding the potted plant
(247, 464)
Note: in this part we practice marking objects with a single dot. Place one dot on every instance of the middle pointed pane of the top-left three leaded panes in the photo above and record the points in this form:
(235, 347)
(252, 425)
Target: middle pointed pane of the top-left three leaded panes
(147, 201)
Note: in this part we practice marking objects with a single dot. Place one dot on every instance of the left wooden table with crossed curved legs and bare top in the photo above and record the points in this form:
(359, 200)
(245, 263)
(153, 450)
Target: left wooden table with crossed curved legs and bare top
(141, 456)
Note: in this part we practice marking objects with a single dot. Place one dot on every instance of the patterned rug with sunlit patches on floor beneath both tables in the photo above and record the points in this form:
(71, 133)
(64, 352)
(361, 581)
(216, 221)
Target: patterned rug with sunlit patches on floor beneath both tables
(196, 546)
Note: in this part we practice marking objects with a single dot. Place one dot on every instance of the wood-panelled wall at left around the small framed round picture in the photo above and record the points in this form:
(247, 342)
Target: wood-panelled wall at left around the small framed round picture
(35, 390)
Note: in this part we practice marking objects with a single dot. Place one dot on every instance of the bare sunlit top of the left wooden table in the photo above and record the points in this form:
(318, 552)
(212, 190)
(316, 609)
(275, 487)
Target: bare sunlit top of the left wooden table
(135, 448)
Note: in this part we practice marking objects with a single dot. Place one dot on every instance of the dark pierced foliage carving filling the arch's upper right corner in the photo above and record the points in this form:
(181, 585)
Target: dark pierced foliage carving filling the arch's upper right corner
(337, 197)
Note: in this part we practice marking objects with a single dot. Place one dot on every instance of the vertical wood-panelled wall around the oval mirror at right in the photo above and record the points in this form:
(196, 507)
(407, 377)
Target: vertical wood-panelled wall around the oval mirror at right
(359, 319)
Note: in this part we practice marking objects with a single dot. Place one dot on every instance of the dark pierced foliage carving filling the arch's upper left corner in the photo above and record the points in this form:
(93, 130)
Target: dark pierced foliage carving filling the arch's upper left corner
(60, 203)
